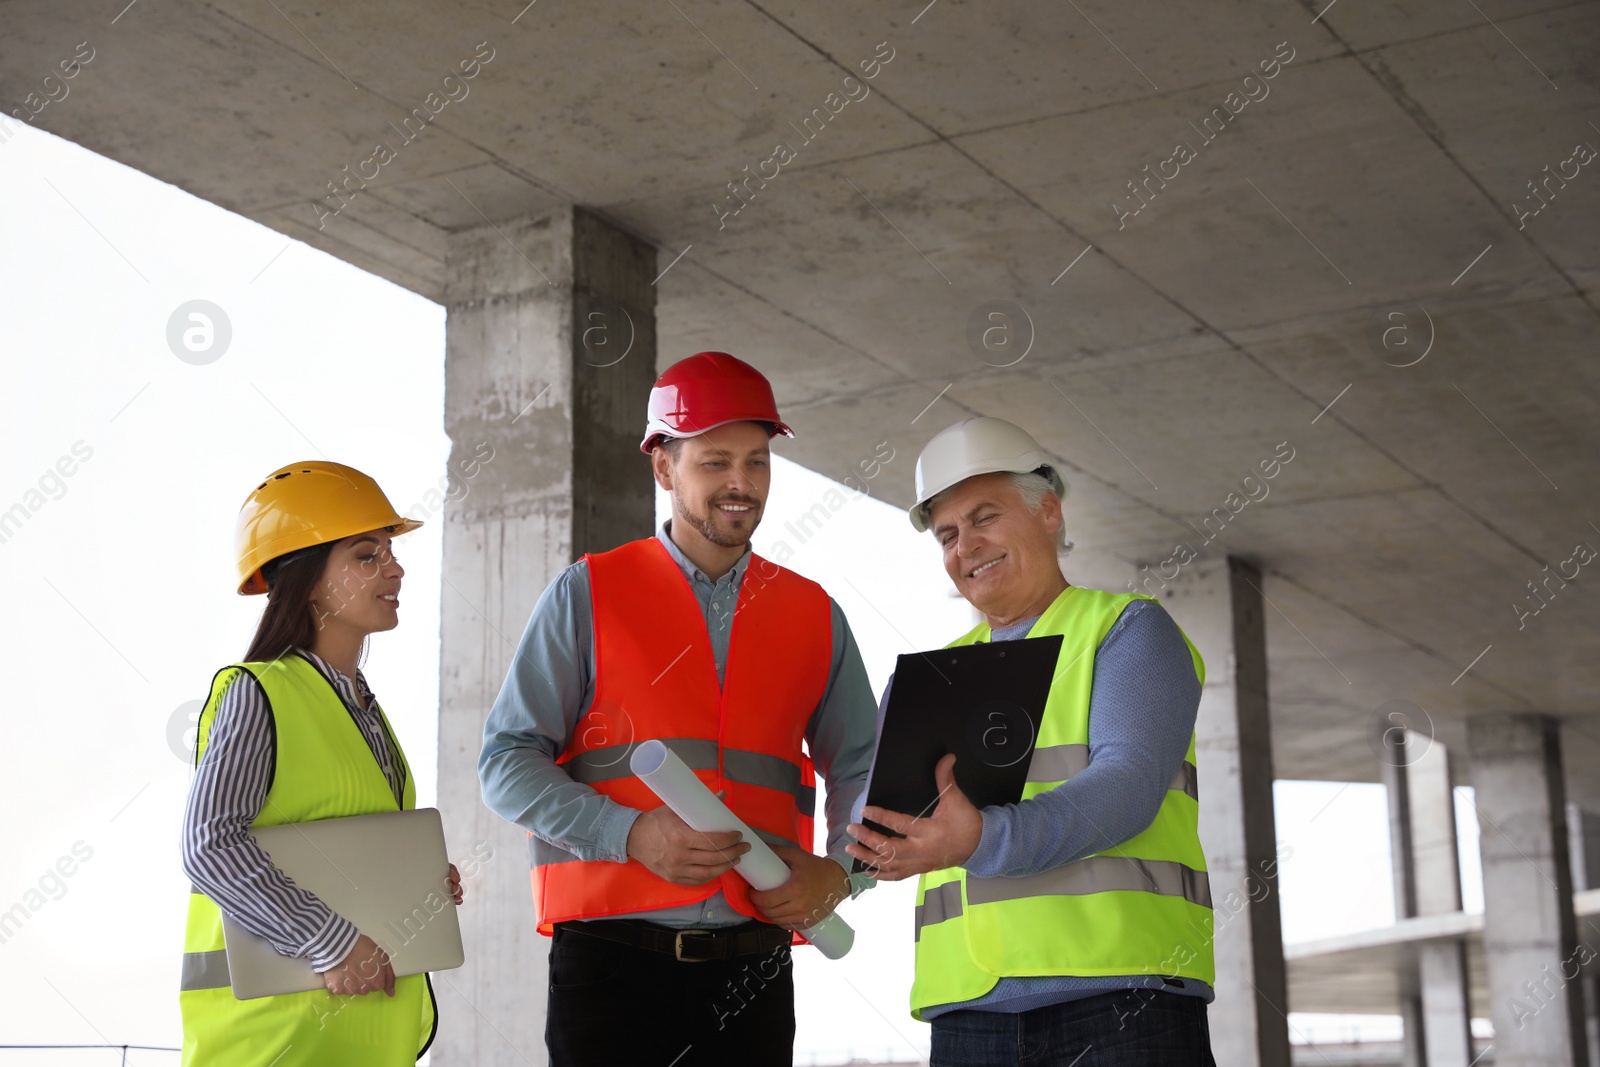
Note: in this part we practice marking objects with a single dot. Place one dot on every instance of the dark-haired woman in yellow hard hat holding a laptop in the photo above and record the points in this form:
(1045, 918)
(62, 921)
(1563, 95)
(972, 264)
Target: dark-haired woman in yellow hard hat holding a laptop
(294, 735)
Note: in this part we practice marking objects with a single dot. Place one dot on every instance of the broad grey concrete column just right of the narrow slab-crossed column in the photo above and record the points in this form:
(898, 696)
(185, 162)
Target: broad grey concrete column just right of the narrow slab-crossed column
(1529, 930)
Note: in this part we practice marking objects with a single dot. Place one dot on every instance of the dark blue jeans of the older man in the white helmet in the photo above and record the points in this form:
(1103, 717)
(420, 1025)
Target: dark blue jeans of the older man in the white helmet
(1137, 1028)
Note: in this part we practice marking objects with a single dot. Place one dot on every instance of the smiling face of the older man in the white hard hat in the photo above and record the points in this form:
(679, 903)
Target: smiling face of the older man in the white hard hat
(1001, 556)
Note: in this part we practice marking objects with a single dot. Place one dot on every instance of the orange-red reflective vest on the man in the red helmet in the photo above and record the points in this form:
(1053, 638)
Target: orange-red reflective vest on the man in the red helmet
(657, 681)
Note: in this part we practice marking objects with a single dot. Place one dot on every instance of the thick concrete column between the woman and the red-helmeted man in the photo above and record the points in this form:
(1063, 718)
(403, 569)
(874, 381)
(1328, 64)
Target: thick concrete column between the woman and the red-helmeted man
(551, 351)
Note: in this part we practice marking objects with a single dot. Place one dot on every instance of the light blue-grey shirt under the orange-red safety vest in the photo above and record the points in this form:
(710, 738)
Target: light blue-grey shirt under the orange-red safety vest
(551, 685)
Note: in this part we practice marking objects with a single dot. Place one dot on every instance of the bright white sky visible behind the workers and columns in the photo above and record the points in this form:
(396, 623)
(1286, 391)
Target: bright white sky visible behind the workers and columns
(119, 604)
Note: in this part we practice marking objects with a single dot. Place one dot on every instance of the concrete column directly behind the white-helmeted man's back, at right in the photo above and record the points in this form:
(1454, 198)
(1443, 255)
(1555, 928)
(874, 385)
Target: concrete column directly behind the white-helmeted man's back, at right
(1220, 605)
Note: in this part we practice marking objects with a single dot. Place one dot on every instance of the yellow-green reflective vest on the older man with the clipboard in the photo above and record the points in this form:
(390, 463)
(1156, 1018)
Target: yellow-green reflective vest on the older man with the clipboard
(1142, 908)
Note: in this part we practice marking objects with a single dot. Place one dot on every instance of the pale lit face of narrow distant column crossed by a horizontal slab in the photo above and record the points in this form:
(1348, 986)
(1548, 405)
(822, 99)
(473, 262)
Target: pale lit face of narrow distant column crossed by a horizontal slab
(1442, 965)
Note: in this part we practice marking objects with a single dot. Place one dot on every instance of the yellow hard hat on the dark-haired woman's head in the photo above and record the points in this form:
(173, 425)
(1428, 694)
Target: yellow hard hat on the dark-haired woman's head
(308, 505)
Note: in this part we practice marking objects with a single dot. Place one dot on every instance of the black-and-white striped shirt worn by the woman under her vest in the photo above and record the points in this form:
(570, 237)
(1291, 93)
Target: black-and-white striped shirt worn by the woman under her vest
(226, 796)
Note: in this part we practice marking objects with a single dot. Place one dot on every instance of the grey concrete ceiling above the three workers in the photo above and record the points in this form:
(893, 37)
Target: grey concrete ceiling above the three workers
(1370, 186)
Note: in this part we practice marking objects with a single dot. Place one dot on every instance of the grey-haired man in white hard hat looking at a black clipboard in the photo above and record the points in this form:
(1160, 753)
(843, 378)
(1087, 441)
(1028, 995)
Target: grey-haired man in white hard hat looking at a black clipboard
(1076, 925)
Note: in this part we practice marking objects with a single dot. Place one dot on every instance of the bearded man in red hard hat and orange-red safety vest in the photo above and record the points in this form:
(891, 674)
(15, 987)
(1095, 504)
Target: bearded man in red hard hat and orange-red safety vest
(660, 953)
